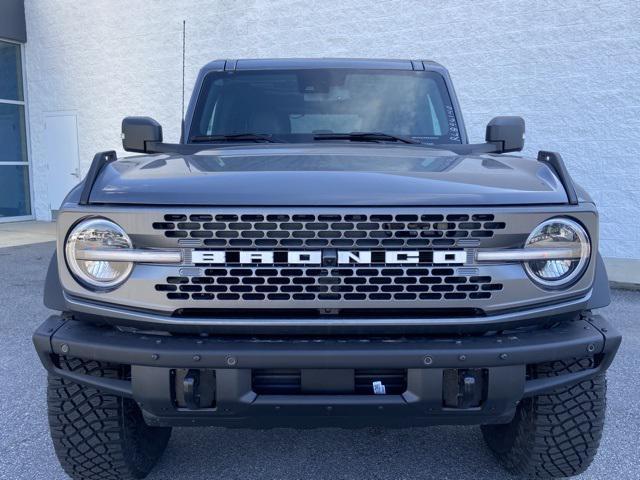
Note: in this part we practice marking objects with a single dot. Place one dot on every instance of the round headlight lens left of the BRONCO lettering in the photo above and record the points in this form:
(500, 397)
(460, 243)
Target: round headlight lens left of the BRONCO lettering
(97, 234)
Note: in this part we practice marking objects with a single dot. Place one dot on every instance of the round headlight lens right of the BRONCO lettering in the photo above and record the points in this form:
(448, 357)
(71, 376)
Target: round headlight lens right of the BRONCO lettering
(560, 233)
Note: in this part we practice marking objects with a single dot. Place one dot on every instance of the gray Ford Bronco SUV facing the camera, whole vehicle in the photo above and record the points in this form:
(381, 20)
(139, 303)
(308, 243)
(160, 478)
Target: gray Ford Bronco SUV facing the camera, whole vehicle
(326, 247)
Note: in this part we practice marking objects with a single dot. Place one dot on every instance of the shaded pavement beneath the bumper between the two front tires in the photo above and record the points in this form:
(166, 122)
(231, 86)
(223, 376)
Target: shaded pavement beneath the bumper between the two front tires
(417, 453)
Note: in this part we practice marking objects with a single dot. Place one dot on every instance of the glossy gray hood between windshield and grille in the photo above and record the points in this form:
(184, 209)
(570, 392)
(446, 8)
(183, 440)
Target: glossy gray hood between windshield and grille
(327, 175)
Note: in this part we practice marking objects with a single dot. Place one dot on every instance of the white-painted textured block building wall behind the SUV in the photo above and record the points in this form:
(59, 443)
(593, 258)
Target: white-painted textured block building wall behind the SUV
(570, 68)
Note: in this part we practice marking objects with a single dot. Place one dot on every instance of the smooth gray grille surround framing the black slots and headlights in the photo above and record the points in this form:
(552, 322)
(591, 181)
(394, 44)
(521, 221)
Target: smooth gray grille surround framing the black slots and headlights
(138, 293)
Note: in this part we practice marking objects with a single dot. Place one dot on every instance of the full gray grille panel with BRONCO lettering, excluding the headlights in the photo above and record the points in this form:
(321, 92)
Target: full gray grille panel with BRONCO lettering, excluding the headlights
(241, 262)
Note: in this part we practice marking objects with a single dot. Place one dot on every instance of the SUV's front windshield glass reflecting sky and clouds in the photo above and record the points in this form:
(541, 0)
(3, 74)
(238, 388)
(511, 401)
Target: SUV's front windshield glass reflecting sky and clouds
(302, 105)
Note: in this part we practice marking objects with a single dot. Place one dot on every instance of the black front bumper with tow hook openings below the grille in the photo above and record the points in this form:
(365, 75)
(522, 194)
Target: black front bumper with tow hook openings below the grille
(504, 360)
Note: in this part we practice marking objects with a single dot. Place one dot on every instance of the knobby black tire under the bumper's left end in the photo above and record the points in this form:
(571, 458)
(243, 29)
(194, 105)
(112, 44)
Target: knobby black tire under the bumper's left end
(98, 435)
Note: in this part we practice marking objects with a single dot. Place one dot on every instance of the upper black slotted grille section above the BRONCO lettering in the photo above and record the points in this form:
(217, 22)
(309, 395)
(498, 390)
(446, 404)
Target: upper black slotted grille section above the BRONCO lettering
(331, 230)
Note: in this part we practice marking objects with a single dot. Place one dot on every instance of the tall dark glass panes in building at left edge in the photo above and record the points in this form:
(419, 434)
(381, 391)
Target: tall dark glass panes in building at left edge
(15, 192)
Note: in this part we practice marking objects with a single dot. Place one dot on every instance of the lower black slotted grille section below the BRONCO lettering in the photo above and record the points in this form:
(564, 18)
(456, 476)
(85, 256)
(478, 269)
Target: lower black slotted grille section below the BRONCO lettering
(343, 283)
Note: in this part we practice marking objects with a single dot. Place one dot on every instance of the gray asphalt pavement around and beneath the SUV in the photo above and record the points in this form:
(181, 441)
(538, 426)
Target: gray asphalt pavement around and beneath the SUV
(204, 453)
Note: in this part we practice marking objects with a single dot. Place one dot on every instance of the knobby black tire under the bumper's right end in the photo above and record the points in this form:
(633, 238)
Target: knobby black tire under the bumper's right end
(554, 435)
